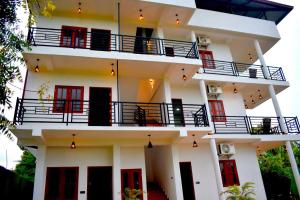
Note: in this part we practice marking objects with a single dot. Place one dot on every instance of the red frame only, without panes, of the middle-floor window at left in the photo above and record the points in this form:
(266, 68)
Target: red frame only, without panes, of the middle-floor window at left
(68, 98)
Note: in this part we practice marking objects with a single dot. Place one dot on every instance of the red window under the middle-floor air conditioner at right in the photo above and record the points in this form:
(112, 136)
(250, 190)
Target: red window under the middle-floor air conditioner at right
(217, 110)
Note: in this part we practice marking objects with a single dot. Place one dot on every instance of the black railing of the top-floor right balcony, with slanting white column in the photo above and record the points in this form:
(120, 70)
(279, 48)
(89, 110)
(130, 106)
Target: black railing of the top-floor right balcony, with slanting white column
(241, 70)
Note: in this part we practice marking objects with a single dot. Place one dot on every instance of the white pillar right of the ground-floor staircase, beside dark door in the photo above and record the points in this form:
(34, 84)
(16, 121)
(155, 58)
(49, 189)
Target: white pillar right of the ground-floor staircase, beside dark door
(177, 175)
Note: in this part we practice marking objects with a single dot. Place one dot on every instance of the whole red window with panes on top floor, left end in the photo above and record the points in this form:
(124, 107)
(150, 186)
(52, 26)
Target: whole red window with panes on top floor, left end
(74, 37)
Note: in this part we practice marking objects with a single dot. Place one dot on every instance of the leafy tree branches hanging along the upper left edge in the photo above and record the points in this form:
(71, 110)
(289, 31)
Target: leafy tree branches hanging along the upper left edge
(12, 45)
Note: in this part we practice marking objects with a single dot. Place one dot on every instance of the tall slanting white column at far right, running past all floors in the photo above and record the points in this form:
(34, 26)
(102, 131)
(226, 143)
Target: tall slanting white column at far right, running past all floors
(280, 116)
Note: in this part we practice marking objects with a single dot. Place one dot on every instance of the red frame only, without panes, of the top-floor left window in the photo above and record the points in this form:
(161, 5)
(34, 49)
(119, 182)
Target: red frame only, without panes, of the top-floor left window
(74, 29)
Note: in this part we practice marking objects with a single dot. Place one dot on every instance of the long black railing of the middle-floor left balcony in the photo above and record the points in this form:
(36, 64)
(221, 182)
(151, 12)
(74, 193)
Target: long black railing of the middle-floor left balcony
(120, 113)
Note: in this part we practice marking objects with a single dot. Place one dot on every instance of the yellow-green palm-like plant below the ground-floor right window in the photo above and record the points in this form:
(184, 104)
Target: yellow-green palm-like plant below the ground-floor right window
(244, 192)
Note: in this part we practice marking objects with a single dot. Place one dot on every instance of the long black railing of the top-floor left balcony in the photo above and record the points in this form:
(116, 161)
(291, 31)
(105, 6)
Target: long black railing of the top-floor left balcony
(111, 42)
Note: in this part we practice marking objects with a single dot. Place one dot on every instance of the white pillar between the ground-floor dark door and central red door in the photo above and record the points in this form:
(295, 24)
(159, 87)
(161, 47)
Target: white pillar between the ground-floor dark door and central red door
(117, 192)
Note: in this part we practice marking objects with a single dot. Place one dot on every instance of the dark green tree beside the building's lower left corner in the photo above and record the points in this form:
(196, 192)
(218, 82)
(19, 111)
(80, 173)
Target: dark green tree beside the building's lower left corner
(26, 167)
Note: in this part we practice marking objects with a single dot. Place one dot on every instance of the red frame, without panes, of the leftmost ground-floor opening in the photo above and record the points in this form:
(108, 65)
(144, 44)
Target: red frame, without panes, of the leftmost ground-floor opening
(61, 179)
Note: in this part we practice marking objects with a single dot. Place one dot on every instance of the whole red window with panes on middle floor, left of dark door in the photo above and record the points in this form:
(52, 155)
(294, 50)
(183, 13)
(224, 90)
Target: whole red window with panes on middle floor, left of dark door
(68, 99)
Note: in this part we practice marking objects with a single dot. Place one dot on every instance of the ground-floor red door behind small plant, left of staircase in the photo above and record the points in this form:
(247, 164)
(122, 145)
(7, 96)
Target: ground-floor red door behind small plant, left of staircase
(132, 179)
